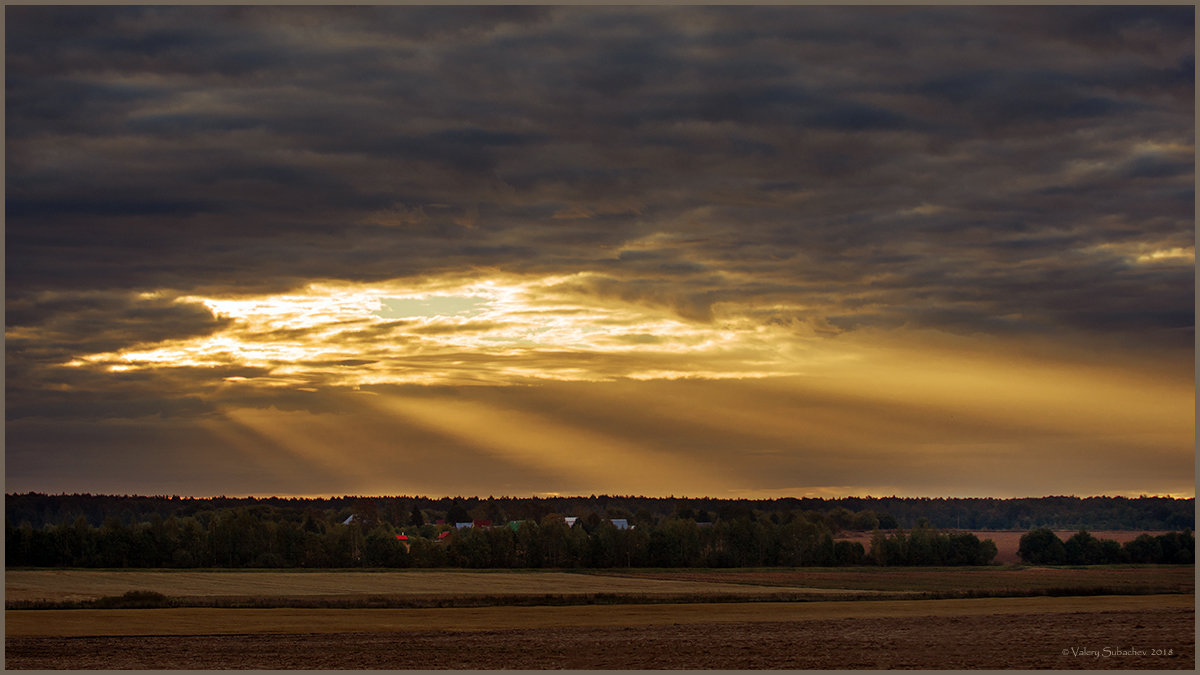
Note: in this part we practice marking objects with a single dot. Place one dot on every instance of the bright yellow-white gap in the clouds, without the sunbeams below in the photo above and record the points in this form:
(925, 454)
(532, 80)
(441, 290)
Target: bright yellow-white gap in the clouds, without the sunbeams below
(445, 332)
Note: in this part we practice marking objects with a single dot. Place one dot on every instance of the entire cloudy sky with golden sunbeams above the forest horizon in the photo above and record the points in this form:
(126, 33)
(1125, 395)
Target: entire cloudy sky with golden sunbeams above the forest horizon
(694, 252)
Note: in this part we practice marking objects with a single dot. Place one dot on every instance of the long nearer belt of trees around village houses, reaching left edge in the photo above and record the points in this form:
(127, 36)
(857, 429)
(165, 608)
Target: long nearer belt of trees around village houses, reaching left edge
(273, 539)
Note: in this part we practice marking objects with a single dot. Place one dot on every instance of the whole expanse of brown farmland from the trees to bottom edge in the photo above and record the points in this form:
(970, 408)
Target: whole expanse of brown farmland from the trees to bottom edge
(655, 619)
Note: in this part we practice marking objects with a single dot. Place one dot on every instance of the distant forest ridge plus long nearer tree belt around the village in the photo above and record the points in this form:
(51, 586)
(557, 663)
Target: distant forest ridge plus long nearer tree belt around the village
(134, 531)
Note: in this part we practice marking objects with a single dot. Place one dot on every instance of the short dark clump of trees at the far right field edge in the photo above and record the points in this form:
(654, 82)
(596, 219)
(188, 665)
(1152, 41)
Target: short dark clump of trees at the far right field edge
(1043, 547)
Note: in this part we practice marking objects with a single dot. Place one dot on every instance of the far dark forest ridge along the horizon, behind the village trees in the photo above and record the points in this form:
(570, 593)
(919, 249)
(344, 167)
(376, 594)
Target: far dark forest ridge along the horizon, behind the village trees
(1025, 515)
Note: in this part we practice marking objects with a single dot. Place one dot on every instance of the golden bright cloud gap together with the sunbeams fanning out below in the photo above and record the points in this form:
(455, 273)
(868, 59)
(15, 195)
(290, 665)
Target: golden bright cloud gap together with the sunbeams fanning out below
(807, 411)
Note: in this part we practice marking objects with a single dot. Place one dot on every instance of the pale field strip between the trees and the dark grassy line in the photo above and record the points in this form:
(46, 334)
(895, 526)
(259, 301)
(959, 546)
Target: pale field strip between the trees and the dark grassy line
(416, 589)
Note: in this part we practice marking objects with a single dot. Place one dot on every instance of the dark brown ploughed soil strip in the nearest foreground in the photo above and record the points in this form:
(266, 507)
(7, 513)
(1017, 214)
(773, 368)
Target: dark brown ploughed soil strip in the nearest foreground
(1011, 642)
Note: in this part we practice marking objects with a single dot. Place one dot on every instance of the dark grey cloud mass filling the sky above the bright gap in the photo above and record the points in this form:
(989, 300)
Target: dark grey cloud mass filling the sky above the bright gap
(945, 168)
